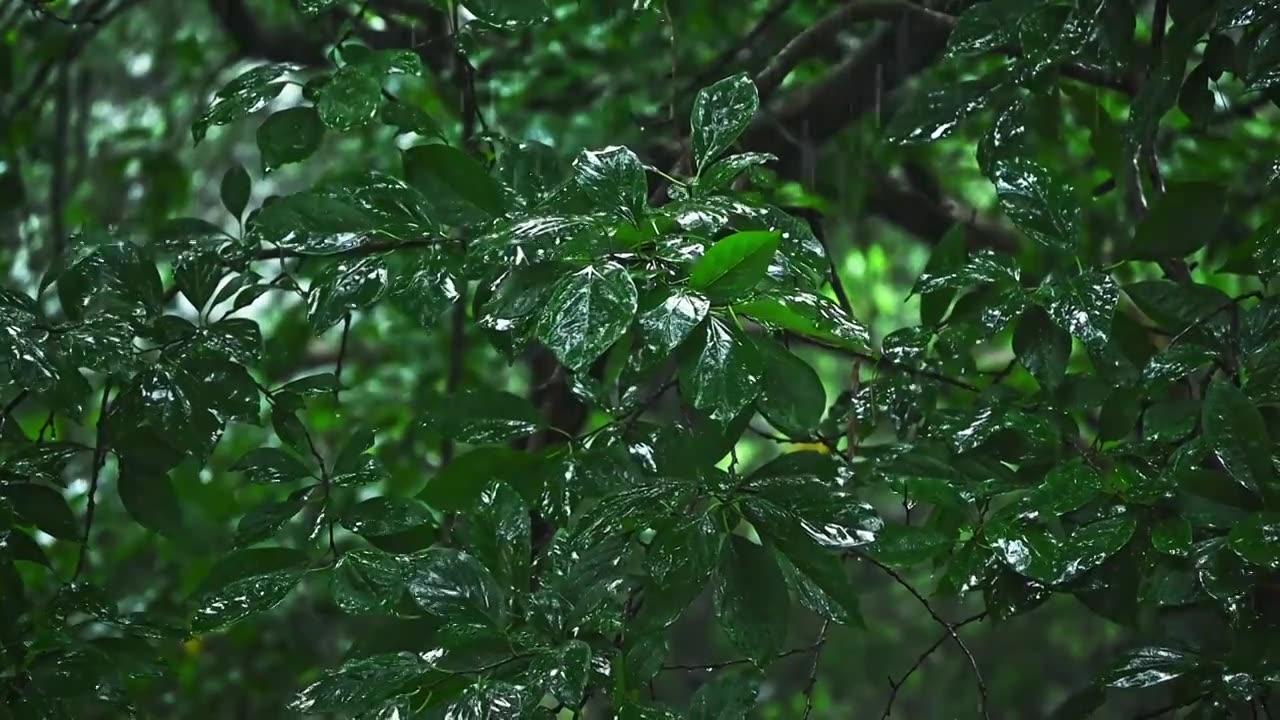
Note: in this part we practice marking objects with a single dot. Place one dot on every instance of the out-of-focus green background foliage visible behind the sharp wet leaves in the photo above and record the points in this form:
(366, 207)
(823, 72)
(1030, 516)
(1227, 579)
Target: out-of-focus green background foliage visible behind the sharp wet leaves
(97, 99)
